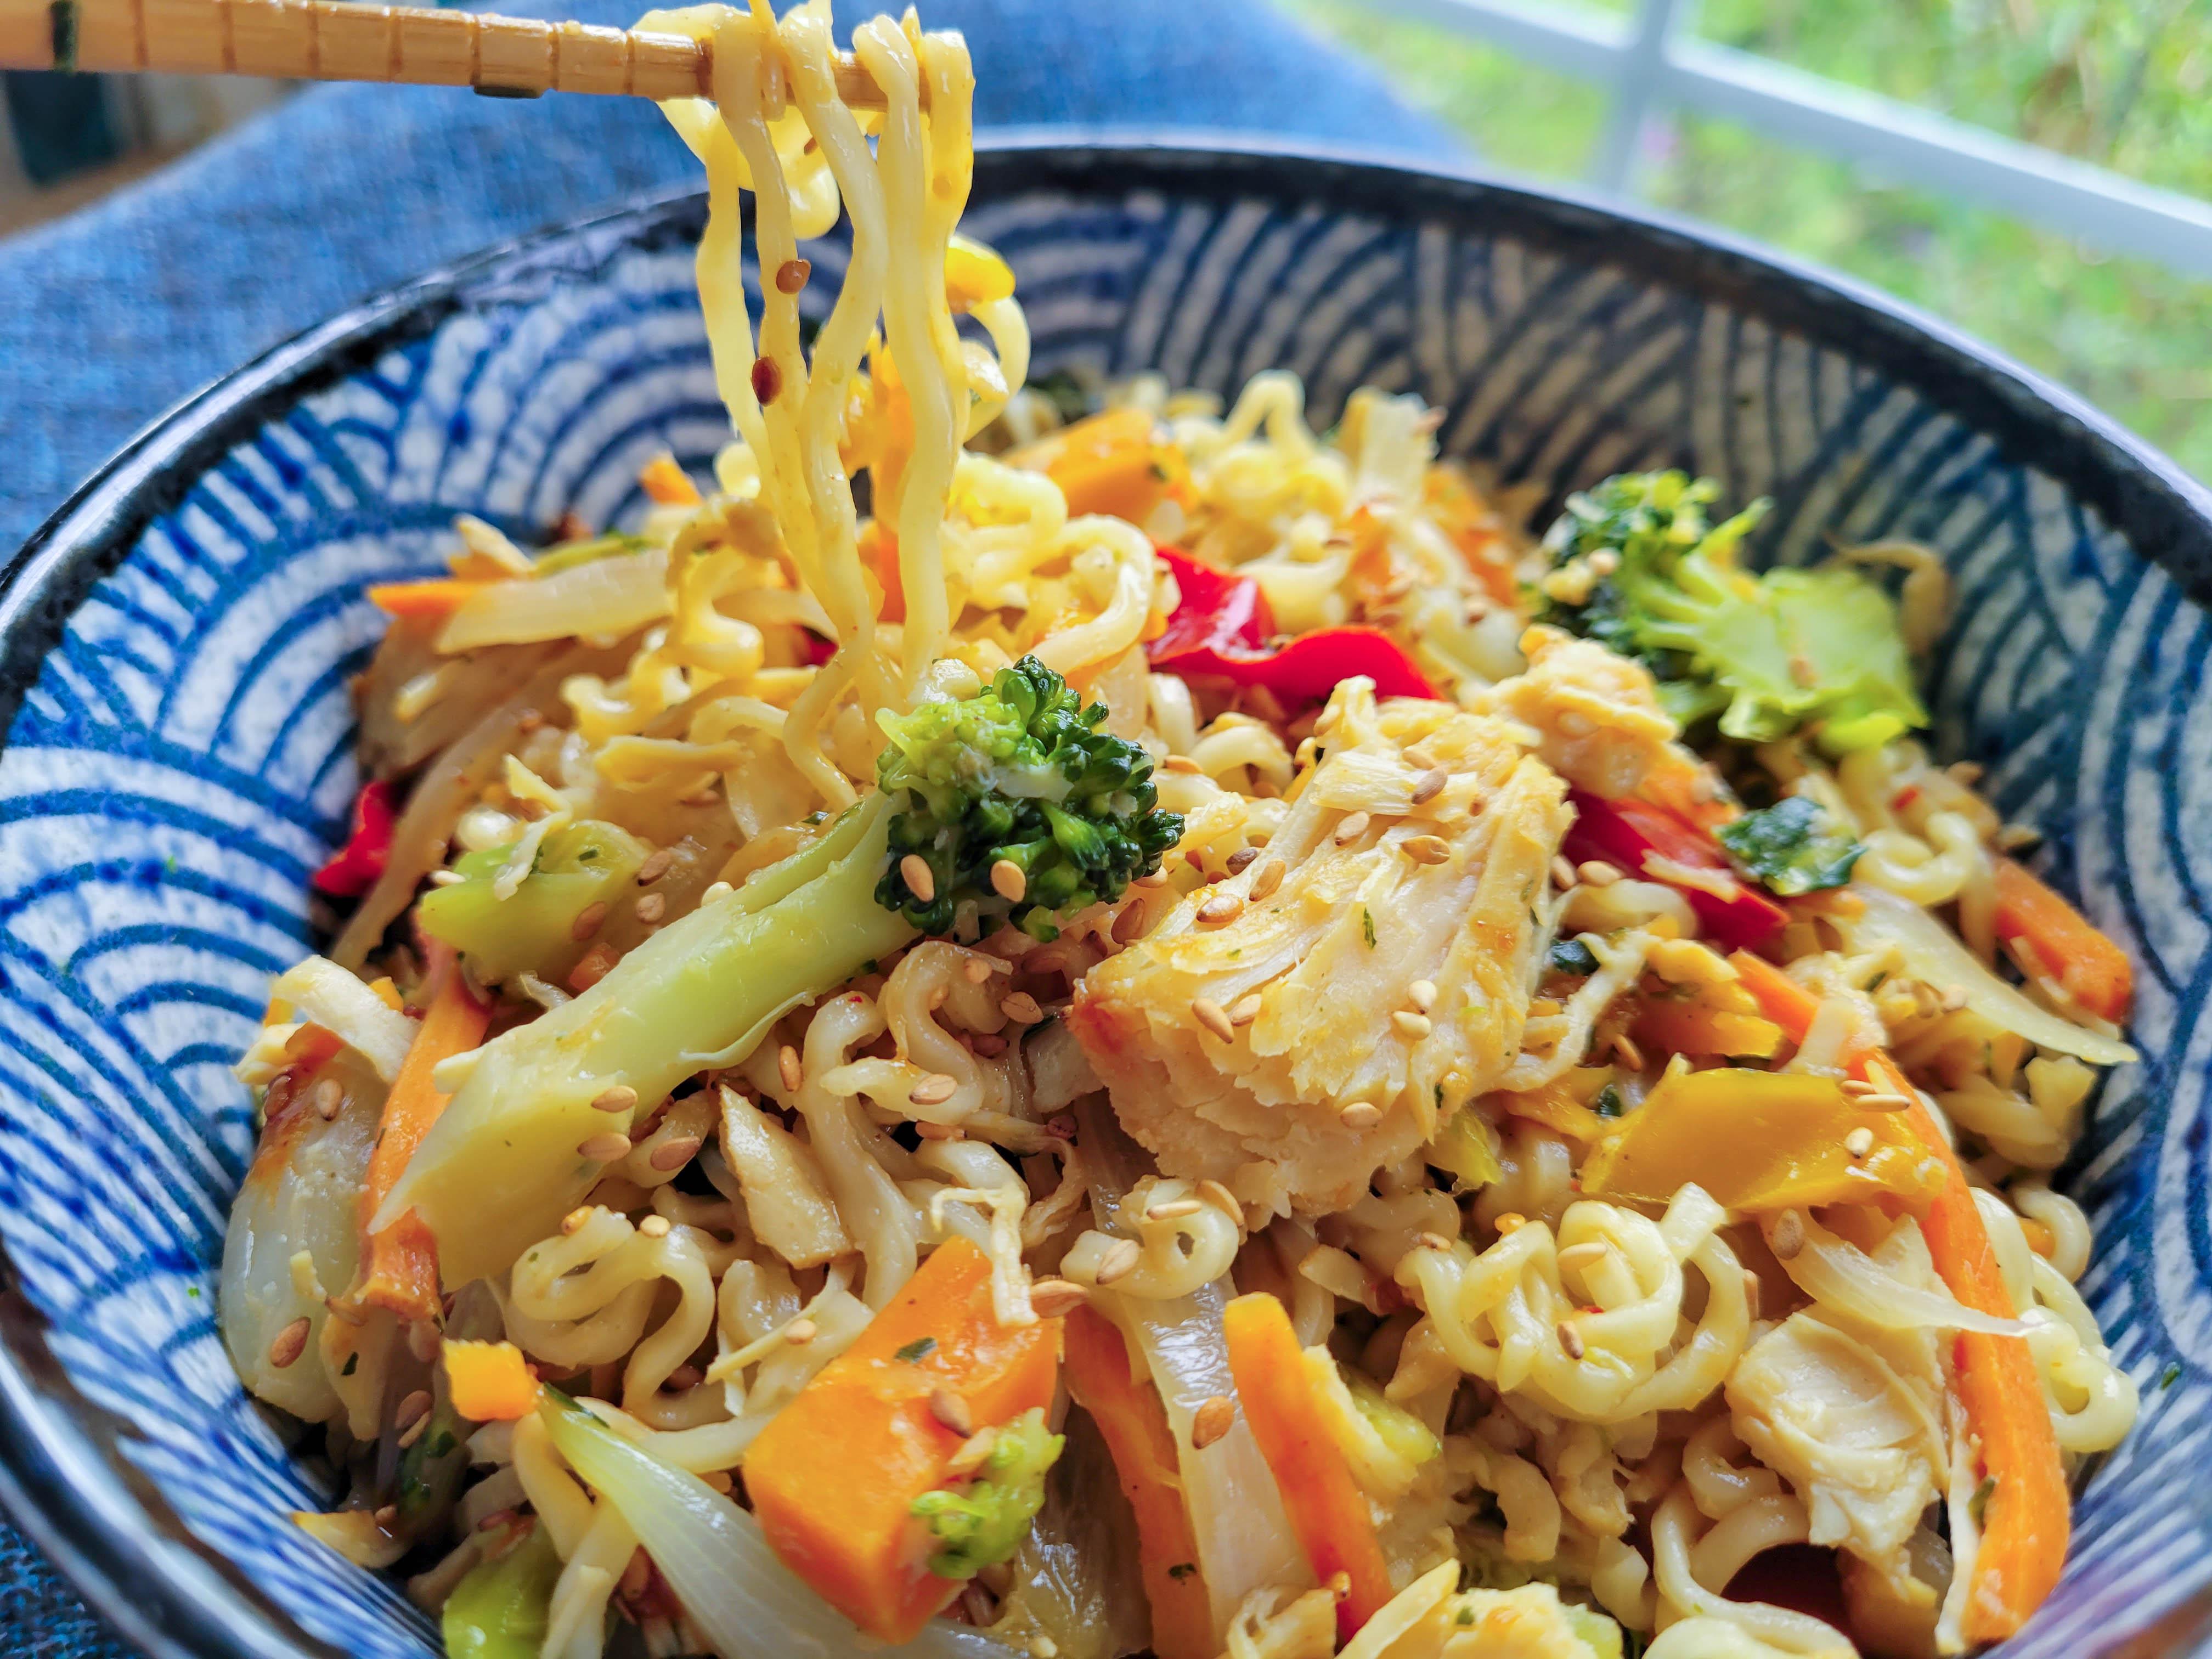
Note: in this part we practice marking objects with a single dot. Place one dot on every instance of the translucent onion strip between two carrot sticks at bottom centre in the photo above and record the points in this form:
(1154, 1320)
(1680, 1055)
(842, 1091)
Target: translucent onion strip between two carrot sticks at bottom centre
(1235, 1510)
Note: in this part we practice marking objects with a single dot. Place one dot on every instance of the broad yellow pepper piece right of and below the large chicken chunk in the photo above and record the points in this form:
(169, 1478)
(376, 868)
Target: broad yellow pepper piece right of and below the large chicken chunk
(1762, 1140)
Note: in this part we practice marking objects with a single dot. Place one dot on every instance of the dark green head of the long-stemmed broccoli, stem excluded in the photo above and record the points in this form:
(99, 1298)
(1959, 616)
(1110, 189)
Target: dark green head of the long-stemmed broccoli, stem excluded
(1019, 773)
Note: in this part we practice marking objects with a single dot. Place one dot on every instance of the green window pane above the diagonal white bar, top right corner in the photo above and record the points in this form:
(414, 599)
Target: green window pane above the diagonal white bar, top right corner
(2118, 83)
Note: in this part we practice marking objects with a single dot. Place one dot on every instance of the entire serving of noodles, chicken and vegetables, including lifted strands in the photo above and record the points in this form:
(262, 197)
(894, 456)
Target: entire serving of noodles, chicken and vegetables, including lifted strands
(1169, 1039)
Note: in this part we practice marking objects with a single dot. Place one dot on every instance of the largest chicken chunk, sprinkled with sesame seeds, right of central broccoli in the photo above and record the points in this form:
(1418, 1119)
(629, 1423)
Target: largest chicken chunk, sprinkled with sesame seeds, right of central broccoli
(1417, 851)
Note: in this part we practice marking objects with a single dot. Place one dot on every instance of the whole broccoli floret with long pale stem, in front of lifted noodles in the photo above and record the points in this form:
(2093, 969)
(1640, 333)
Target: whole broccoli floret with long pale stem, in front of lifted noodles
(1019, 771)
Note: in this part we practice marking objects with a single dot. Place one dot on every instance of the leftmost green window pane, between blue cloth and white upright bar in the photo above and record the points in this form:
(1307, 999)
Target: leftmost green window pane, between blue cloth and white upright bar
(1519, 116)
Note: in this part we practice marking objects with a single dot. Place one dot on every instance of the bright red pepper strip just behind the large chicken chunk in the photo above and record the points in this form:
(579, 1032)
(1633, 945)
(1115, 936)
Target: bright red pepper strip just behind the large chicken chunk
(1222, 625)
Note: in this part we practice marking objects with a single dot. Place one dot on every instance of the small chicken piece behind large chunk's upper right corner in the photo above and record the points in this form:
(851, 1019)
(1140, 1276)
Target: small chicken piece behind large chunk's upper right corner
(1598, 713)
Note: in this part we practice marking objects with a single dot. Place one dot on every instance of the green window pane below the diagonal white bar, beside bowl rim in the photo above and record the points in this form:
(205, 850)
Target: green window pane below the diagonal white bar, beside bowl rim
(2133, 337)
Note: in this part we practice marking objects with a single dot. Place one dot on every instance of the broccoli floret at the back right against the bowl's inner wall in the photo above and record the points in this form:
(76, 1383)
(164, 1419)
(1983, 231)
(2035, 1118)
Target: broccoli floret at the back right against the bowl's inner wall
(1640, 570)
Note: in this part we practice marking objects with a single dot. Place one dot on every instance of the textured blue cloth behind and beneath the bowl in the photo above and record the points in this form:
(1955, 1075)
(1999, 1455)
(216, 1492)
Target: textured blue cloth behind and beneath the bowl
(114, 315)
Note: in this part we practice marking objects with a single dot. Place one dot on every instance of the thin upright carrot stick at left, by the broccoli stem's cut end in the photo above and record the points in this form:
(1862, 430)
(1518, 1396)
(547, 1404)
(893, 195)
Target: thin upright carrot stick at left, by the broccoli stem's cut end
(399, 1266)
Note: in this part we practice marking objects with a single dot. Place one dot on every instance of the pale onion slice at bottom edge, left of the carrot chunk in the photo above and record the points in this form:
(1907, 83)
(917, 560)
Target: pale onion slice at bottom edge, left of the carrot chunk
(720, 1565)
